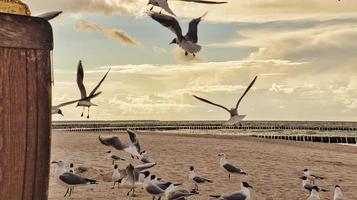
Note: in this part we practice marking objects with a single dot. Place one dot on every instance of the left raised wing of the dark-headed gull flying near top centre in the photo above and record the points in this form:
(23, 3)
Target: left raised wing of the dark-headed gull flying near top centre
(169, 22)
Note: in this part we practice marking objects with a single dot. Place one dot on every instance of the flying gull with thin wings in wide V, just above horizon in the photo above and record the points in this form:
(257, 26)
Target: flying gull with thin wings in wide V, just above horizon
(235, 117)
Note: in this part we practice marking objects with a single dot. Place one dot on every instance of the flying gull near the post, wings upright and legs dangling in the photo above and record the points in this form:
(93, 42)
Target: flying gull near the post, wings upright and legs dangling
(86, 99)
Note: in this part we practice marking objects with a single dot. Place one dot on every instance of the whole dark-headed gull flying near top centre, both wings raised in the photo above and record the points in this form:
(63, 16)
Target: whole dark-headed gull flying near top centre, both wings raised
(187, 42)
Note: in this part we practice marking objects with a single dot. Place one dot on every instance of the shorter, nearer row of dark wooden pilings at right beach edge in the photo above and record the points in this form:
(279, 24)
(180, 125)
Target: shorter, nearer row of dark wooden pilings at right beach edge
(310, 138)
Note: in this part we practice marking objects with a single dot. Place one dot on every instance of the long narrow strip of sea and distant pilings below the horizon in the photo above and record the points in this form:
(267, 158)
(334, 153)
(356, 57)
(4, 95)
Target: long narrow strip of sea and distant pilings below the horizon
(205, 125)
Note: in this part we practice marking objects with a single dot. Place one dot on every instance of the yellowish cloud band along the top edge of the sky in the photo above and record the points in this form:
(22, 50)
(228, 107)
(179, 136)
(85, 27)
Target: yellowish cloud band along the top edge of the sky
(234, 11)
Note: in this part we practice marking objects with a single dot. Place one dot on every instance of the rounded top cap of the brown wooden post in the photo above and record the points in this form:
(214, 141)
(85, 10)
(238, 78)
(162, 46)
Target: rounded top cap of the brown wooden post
(19, 31)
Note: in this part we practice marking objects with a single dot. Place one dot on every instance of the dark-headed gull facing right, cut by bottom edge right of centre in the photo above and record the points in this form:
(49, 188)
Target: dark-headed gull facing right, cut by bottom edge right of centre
(243, 194)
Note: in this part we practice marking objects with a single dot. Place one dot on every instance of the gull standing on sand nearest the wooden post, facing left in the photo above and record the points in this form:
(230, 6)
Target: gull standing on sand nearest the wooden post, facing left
(68, 179)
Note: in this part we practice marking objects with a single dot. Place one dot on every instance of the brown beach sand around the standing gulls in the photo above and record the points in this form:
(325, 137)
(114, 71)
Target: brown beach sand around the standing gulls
(273, 167)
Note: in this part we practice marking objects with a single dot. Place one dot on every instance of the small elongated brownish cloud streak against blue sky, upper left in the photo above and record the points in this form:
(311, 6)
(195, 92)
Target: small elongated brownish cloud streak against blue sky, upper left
(116, 34)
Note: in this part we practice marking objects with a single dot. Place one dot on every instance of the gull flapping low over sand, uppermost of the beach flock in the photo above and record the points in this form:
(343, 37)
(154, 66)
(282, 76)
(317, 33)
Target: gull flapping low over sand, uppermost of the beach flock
(133, 148)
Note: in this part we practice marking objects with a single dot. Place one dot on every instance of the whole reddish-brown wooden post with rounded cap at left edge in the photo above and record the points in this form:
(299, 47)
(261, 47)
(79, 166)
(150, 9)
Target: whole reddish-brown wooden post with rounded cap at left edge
(25, 107)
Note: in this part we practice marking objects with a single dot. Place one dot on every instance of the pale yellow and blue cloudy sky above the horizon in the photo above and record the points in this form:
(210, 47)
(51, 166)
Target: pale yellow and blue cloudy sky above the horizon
(304, 53)
